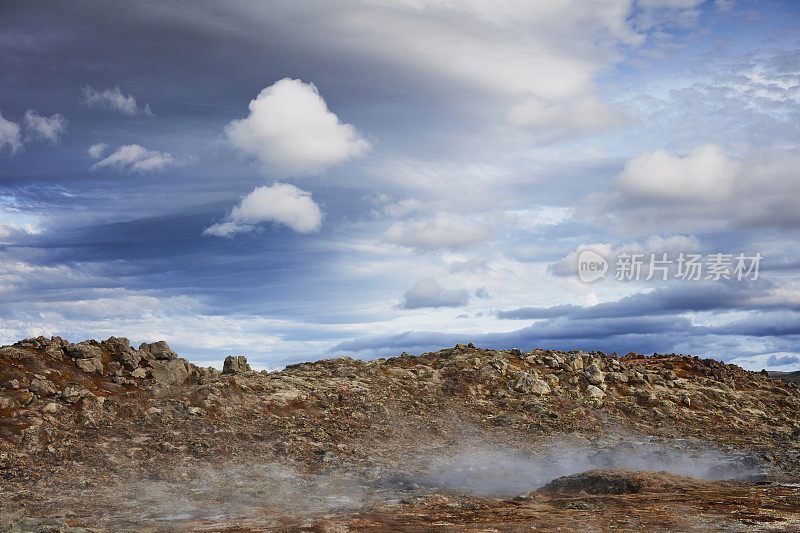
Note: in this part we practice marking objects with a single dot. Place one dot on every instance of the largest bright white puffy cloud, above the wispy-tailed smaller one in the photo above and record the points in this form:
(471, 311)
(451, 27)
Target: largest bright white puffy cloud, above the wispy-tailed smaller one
(291, 128)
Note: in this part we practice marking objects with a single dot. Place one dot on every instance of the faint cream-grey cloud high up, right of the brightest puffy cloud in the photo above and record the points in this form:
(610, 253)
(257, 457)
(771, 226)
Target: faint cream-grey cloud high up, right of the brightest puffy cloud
(585, 114)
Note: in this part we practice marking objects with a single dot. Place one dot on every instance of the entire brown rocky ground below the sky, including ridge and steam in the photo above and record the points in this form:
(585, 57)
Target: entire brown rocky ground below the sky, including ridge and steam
(100, 436)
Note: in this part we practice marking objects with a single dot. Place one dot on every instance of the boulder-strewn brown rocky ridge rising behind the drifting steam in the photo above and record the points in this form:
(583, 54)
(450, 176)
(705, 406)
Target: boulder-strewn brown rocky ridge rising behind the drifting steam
(96, 413)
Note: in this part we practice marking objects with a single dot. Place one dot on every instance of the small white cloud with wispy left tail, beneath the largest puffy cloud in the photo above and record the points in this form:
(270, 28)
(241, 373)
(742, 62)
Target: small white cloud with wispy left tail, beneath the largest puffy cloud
(280, 203)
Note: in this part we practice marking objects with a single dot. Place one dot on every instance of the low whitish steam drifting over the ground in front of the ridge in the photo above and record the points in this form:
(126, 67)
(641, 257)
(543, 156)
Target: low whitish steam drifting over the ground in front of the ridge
(193, 492)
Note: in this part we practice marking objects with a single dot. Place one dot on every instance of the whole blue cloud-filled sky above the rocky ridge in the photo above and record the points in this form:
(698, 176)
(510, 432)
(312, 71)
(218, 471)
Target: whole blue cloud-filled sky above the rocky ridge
(293, 180)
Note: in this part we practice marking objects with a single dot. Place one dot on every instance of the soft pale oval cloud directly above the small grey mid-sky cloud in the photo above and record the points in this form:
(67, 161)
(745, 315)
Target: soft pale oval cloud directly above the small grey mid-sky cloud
(441, 231)
